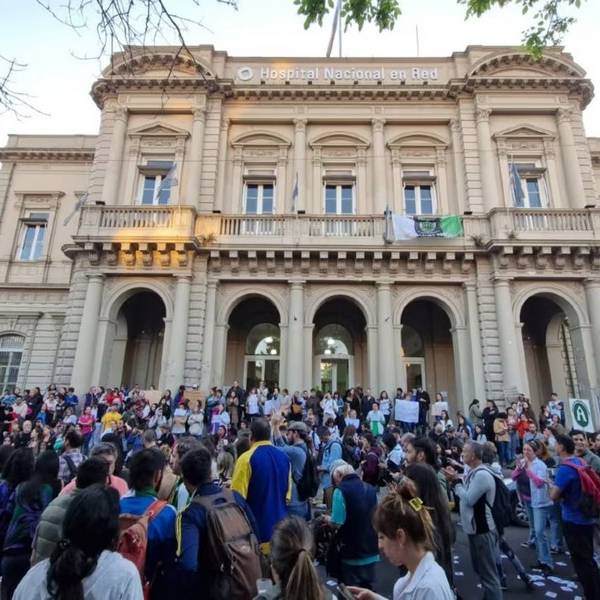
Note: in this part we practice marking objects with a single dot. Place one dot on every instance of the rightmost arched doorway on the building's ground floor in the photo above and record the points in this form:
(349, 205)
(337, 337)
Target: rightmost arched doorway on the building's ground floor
(550, 361)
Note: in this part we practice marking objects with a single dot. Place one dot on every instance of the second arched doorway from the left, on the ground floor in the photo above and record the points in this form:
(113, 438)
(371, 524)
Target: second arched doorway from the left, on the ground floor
(253, 344)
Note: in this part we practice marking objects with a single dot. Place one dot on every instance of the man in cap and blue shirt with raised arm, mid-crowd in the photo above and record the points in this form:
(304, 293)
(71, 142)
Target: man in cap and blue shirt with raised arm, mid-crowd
(295, 447)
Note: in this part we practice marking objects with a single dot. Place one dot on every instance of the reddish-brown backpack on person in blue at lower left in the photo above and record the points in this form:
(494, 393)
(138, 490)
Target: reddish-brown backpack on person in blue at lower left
(133, 538)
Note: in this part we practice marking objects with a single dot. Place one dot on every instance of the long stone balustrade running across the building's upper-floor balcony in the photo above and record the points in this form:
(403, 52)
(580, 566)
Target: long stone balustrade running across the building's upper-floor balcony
(137, 223)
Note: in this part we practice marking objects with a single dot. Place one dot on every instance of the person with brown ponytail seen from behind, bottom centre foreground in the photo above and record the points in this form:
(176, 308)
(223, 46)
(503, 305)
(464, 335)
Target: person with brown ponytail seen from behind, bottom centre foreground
(292, 565)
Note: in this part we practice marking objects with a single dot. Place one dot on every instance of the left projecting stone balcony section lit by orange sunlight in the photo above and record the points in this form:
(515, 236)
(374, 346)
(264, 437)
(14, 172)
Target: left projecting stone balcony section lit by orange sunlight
(137, 223)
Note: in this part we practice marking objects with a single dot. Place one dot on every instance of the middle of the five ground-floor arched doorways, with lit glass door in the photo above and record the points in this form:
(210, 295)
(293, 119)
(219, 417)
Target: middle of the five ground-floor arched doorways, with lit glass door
(339, 346)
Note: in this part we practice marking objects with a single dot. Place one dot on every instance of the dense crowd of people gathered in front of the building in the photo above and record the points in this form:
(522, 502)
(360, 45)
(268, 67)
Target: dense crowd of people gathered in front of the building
(242, 494)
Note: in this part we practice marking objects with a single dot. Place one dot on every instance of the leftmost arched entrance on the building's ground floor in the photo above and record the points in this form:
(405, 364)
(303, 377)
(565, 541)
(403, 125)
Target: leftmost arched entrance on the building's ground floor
(137, 346)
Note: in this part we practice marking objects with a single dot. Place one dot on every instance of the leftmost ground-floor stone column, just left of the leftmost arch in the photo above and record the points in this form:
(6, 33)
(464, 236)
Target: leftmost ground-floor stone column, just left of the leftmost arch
(86, 342)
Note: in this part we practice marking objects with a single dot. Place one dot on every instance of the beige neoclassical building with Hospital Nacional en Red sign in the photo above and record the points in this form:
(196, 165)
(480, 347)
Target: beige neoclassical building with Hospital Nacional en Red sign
(227, 223)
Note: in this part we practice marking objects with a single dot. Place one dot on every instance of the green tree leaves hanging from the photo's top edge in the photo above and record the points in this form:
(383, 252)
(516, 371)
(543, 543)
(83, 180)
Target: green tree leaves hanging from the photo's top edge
(550, 18)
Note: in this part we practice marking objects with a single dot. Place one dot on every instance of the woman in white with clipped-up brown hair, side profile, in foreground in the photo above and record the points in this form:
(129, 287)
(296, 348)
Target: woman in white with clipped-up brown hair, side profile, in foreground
(406, 537)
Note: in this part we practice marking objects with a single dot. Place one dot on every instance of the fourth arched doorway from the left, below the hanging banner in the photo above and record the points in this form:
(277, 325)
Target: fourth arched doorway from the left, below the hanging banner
(427, 349)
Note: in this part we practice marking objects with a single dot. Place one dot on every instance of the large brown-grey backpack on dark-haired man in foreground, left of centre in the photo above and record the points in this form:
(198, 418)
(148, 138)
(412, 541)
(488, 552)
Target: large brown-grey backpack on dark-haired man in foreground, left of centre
(232, 551)
